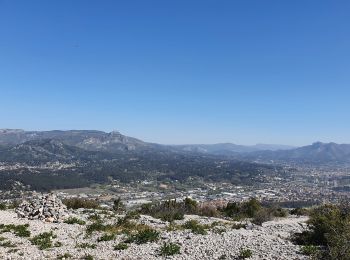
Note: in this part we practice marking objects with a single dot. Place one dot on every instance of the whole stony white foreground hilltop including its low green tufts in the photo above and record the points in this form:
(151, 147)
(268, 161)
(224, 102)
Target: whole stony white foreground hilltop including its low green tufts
(81, 236)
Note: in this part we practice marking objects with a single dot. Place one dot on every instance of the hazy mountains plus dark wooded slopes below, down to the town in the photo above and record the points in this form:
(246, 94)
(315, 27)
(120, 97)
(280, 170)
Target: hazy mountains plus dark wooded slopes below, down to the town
(47, 160)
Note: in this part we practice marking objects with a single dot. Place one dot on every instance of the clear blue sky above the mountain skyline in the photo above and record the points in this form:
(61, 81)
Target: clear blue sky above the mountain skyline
(179, 71)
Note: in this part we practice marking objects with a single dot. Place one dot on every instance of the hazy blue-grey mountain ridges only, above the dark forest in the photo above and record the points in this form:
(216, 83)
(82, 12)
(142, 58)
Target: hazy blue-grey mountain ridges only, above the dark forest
(91, 144)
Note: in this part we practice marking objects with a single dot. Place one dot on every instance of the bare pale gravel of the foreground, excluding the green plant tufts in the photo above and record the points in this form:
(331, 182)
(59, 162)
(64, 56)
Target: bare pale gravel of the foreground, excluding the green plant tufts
(269, 241)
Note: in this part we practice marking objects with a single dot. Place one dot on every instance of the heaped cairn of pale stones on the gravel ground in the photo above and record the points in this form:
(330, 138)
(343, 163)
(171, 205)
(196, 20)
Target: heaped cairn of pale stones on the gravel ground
(45, 207)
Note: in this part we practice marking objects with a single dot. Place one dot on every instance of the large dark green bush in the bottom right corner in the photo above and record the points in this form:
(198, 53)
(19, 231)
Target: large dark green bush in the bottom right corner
(329, 232)
